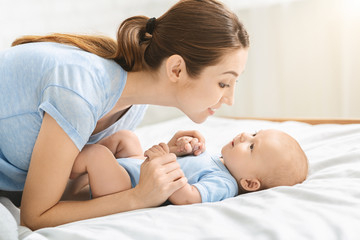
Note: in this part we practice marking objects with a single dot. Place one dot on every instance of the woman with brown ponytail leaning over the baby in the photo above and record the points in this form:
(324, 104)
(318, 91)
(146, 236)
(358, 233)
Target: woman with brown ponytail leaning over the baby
(60, 92)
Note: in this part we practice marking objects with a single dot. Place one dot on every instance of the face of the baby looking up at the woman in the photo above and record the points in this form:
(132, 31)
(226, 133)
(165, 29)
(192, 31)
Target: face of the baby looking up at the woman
(249, 154)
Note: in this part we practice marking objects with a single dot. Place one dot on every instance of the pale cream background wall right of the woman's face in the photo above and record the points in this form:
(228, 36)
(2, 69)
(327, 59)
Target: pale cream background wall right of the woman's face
(304, 60)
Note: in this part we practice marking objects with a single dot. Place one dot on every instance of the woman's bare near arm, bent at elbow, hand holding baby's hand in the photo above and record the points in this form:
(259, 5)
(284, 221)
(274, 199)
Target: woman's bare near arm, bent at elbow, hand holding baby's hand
(51, 162)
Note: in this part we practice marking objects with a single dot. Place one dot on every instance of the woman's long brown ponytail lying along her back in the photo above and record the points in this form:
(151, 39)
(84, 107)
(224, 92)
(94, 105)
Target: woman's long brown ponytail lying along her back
(128, 51)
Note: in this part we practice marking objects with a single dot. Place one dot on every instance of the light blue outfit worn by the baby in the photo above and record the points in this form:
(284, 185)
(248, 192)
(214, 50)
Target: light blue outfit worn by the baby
(206, 172)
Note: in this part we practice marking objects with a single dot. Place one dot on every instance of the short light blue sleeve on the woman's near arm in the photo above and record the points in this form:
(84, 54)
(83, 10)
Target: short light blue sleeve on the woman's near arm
(73, 98)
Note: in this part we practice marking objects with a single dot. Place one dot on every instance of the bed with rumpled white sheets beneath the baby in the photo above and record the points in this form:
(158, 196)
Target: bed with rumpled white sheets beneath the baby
(325, 206)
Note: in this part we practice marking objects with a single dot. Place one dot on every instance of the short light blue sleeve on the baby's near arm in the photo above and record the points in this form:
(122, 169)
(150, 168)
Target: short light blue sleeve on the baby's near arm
(216, 186)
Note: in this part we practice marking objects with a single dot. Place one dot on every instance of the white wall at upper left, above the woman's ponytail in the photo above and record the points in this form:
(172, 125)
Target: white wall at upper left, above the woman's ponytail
(23, 17)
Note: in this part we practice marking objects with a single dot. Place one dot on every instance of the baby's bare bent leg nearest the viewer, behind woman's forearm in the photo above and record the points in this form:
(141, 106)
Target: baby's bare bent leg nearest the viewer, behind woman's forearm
(106, 175)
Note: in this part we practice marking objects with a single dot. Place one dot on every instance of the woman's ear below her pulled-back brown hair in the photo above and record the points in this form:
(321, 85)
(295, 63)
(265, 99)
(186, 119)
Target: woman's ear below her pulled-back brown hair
(175, 67)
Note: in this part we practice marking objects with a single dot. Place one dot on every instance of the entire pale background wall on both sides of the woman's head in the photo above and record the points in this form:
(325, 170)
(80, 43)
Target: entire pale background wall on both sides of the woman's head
(304, 59)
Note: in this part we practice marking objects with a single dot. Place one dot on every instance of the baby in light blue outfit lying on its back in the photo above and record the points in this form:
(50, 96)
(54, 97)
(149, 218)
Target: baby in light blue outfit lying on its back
(249, 162)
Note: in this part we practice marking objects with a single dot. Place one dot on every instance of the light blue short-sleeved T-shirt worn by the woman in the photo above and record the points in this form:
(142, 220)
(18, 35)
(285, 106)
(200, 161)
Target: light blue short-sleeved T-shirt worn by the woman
(75, 87)
